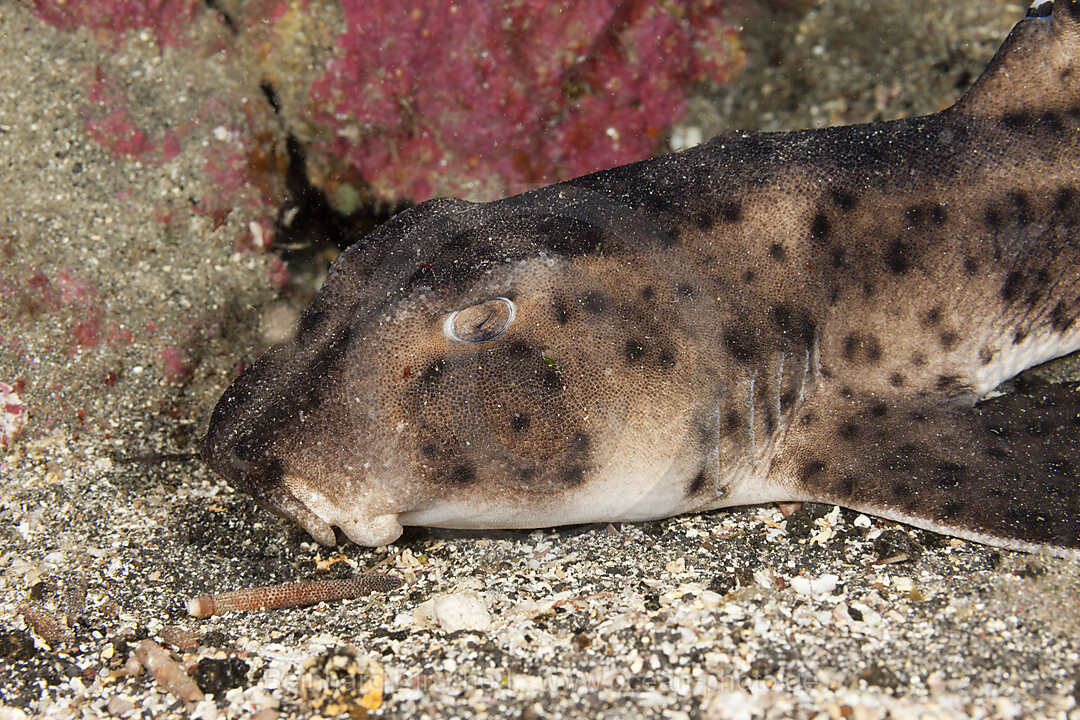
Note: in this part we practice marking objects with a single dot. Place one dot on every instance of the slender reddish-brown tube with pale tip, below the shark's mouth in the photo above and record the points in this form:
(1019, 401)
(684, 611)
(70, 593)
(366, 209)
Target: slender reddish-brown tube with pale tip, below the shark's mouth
(293, 595)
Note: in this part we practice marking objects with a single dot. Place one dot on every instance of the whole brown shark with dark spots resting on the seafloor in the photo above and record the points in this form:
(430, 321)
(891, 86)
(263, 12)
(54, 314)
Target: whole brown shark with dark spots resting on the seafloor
(818, 316)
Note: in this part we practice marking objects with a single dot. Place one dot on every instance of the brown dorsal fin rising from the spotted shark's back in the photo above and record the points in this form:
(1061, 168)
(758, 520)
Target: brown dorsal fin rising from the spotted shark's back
(1037, 70)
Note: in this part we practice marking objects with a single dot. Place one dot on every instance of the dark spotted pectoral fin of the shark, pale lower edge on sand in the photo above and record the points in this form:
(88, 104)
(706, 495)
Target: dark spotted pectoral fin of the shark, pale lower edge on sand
(1004, 472)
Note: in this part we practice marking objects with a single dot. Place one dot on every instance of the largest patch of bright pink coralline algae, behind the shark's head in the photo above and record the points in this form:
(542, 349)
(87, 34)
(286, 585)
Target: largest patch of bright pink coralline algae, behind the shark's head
(483, 99)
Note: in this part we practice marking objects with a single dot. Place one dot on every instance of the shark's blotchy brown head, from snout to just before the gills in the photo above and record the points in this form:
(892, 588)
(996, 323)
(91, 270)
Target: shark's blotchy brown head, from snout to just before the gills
(479, 365)
